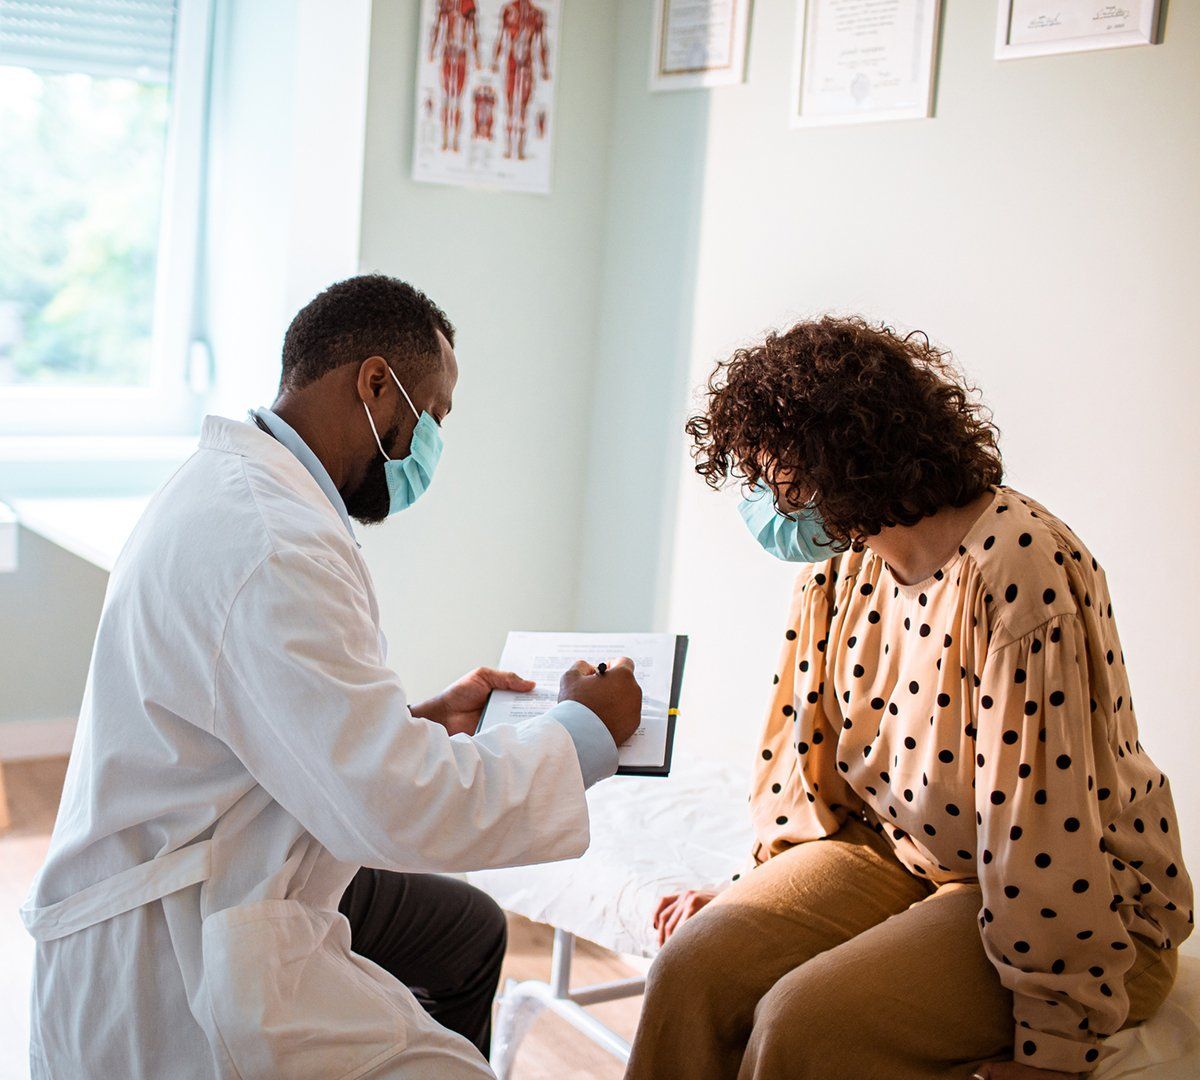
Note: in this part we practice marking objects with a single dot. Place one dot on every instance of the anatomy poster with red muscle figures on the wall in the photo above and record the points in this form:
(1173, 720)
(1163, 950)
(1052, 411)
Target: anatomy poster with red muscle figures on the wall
(485, 93)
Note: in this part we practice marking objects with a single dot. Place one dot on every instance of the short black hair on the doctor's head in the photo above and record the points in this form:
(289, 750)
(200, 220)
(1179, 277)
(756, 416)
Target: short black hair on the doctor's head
(367, 316)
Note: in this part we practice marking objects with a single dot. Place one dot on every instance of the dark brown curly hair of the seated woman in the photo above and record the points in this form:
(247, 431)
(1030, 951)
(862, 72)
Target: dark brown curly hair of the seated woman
(871, 428)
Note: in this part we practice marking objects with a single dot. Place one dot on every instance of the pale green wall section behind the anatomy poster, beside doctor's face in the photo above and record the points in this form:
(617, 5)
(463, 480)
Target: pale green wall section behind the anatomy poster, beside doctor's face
(497, 543)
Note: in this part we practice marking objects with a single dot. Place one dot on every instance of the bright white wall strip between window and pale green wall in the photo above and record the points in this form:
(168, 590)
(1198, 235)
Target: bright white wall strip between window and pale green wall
(285, 193)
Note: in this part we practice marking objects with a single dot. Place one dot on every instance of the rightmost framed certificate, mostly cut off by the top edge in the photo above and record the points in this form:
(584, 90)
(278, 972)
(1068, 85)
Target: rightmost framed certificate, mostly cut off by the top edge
(1036, 28)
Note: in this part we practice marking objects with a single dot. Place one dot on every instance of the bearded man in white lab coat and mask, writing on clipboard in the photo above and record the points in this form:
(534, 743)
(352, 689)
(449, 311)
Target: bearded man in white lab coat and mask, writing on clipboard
(244, 749)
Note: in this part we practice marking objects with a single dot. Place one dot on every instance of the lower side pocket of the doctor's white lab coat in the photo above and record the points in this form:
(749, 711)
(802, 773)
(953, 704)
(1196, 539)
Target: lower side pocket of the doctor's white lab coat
(287, 998)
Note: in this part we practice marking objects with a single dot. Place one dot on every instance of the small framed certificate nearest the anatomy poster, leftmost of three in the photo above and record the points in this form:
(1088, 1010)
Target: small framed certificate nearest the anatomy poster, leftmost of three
(699, 44)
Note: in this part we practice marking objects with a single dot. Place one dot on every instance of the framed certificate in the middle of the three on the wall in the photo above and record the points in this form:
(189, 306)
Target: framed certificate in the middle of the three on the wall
(860, 61)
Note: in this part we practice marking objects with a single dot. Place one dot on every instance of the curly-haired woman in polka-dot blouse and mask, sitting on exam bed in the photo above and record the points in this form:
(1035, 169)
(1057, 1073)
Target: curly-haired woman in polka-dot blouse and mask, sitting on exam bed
(999, 884)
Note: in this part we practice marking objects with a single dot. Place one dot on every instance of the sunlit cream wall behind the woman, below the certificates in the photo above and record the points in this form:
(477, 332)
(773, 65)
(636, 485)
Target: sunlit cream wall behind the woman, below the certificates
(1047, 227)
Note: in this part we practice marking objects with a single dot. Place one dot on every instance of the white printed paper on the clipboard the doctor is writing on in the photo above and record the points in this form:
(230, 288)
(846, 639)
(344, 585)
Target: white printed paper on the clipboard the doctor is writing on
(545, 657)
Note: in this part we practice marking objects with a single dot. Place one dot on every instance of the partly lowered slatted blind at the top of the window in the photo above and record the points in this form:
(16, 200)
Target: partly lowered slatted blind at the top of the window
(133, 39)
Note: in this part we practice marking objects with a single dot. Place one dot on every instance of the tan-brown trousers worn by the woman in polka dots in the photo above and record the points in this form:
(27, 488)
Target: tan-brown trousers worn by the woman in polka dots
(832, 962)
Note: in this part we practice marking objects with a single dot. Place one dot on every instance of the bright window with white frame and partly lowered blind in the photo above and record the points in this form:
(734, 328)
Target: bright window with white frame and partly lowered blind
(103, 109)
